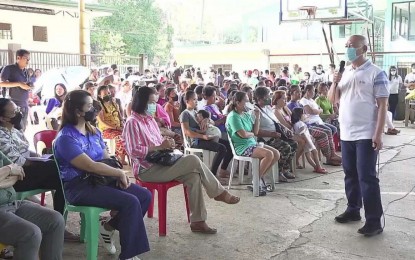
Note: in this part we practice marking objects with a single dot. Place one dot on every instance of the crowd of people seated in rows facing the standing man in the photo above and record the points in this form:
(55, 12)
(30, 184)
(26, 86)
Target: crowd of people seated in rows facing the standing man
(262, 116)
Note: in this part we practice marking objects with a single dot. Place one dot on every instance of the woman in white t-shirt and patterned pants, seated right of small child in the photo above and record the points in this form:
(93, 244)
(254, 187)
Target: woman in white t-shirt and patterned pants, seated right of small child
(315, 124)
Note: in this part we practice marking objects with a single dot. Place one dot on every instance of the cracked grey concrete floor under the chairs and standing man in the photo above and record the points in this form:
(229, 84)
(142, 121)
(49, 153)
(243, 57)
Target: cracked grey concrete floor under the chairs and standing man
(294, 222)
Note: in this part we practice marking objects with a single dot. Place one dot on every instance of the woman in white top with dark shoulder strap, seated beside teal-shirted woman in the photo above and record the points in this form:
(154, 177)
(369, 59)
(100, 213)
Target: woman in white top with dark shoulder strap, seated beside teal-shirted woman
(280, 139)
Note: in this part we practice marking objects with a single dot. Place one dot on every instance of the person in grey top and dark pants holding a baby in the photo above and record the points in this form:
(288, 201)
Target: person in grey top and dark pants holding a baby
(223, 151)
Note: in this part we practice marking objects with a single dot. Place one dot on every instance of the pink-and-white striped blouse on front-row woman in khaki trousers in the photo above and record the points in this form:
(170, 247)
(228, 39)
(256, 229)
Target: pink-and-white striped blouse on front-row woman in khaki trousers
(139, 134)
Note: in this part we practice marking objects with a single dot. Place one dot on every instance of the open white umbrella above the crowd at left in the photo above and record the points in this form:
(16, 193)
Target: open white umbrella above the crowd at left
(71, 77)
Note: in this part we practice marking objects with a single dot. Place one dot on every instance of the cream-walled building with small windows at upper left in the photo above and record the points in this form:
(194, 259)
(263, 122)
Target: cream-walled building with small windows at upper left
(45, 25)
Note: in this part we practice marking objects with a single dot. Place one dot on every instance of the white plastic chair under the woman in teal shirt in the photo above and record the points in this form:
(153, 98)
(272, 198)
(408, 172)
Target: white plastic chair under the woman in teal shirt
(254, 170)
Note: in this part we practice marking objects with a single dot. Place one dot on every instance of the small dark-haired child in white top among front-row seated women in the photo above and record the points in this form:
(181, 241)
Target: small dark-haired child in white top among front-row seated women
(300, 128)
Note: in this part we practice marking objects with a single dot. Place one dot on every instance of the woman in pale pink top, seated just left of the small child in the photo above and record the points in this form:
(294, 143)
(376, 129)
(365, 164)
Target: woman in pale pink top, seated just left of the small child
(283, 115)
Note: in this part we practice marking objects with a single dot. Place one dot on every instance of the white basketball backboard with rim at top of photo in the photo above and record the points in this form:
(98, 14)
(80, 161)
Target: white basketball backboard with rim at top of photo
(300, 10)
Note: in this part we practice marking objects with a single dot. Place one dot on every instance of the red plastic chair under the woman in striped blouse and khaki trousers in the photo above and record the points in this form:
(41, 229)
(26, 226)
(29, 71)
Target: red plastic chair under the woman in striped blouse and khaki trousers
(162, 189)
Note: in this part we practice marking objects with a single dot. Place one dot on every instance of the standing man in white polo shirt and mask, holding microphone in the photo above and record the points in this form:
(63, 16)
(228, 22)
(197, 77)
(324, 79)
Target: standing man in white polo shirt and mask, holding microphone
(362, 93)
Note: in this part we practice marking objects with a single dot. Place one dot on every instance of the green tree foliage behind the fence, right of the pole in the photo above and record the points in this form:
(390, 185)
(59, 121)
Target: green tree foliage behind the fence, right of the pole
(135, 27)
